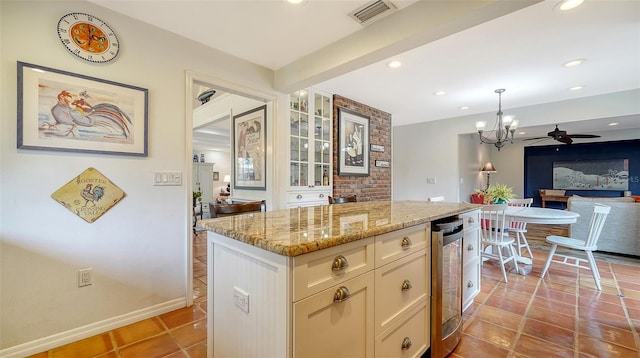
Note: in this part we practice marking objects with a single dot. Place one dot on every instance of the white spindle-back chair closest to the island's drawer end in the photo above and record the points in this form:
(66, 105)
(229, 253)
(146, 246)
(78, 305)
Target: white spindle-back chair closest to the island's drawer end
(492, 230)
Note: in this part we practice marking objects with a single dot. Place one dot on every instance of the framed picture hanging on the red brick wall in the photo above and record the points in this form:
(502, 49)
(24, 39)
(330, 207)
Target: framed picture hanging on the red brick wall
(353, 136)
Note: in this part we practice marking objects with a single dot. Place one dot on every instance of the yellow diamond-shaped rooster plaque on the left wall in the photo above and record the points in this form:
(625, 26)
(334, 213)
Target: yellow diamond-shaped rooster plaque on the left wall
(89, 195)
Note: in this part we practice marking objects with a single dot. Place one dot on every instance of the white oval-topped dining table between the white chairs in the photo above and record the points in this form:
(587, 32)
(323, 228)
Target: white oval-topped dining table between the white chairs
(535, 215)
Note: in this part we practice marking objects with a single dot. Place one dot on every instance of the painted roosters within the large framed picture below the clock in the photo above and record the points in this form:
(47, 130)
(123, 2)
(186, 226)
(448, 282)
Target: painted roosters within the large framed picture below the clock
(74, 117)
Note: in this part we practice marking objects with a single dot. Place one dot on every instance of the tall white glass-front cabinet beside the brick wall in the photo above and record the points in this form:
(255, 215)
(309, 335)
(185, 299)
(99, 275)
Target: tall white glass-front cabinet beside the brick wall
(310, 157)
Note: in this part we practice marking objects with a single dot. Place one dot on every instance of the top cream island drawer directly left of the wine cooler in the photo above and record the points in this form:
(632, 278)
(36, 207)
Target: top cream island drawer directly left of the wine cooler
(397, 244)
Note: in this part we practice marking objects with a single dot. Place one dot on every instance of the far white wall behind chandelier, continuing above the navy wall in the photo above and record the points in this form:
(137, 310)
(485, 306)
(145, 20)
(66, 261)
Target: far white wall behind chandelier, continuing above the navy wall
(441, 149)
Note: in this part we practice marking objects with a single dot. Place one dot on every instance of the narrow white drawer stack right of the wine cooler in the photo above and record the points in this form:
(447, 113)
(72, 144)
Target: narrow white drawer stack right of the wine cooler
(471, 258)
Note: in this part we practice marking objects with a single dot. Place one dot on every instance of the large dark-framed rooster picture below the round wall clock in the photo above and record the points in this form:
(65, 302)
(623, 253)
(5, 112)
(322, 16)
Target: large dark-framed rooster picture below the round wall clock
(63, 111)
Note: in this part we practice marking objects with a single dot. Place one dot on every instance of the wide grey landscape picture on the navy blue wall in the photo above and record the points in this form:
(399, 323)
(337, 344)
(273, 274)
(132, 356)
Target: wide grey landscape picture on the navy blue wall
(611, 174)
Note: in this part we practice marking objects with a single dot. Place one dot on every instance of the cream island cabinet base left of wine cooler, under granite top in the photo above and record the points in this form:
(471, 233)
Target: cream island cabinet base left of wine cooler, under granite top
(359, 299)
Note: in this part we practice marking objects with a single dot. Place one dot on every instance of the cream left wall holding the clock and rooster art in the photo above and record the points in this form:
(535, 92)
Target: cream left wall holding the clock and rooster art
(138, 249)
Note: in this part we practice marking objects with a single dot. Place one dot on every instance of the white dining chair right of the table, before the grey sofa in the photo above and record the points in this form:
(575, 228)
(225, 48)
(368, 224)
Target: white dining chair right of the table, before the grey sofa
(587, 244)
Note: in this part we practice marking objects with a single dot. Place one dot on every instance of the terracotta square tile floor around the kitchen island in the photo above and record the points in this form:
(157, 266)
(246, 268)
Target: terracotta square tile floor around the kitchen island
(560, 316)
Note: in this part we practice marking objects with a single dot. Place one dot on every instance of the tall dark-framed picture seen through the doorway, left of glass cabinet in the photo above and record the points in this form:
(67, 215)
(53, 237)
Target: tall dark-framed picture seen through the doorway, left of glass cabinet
(250, 144)
